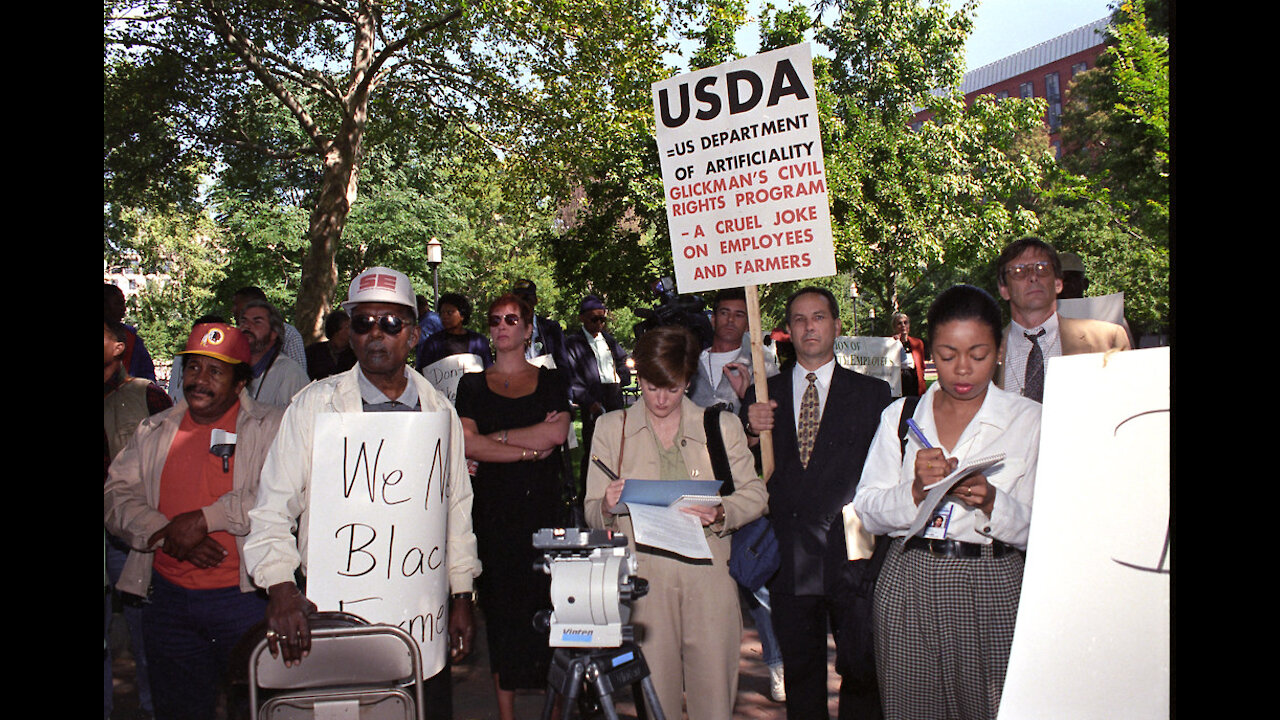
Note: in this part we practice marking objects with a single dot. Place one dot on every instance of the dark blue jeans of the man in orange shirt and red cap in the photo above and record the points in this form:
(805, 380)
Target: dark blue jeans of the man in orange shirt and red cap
(190, 636)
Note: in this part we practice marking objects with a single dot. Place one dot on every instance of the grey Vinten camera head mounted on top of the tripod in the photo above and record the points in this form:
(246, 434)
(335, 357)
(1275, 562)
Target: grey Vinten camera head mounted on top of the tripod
(593, 582)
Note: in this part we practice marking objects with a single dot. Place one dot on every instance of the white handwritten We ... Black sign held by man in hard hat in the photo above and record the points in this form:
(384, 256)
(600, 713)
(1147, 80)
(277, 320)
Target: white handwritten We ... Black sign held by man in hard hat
(378, 518)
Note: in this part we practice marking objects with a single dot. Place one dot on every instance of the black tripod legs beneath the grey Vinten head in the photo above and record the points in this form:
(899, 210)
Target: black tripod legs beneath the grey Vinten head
(606, 671)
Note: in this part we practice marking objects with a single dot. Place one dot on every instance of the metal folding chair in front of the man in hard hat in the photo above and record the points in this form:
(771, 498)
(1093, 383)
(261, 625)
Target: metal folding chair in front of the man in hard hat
(354, 672)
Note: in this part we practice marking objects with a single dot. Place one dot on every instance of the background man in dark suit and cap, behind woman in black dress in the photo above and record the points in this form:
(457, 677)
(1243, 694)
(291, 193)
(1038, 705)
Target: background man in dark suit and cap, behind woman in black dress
(598, 371)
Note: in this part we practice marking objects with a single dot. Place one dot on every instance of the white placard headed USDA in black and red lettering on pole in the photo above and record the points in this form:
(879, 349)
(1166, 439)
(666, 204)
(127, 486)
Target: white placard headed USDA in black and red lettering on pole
(743, 172)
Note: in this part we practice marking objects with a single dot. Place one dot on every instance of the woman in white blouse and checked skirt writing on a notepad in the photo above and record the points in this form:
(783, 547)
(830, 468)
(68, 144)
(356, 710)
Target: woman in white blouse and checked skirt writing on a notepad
(948, 598)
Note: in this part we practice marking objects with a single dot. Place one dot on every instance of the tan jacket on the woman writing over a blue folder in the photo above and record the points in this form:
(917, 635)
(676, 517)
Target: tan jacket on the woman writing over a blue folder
(641, 461)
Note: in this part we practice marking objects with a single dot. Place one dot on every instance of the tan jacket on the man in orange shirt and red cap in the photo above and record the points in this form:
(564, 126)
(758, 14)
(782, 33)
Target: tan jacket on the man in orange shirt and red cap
(132, 491)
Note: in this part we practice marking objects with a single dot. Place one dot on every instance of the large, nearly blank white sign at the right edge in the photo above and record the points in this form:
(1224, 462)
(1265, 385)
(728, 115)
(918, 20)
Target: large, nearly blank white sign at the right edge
(1092, 636)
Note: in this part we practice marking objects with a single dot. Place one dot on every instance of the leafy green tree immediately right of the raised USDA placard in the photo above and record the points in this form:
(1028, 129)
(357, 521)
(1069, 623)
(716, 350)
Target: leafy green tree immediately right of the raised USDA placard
(908, 203)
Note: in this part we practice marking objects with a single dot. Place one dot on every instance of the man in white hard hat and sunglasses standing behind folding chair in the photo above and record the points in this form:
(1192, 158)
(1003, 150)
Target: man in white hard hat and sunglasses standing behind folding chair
(383, 331)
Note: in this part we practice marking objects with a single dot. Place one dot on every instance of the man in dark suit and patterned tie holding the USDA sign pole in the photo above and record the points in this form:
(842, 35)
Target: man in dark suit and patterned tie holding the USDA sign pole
(839, 412)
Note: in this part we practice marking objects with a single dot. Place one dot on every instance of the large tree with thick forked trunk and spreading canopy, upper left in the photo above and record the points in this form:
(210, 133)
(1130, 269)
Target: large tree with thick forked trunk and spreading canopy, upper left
(509, 72)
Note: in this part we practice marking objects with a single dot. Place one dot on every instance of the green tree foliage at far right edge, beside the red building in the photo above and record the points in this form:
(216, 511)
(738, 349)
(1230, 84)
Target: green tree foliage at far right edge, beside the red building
(1112, 200)
